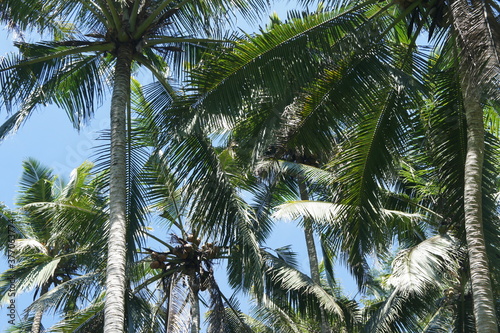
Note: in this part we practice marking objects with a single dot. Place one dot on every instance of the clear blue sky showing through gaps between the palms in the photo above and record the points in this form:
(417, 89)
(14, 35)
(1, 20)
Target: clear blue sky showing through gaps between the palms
(49, 137)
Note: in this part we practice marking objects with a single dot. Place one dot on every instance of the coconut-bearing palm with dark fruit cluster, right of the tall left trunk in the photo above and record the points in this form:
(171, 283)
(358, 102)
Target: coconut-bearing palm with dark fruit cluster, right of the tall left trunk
(184, 267)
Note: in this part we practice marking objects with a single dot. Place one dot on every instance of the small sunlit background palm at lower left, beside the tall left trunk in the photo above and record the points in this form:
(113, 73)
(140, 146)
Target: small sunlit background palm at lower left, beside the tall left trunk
(59, 237)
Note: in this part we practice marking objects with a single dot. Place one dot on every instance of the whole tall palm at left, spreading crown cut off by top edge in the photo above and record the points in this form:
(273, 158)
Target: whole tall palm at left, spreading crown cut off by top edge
(100, 44)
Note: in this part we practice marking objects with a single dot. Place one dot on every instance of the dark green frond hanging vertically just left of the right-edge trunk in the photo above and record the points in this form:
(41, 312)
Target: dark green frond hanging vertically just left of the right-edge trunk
(445, 133)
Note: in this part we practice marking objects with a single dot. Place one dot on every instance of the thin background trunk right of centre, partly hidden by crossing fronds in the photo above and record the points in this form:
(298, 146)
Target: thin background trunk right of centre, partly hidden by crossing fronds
(311, 251)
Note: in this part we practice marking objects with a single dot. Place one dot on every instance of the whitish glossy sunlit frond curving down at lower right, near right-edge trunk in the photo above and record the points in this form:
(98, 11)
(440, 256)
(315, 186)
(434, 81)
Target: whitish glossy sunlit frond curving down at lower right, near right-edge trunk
(419, 277)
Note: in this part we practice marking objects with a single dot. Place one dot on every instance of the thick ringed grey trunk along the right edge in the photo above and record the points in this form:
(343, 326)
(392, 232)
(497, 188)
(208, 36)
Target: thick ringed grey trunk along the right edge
(471, 28)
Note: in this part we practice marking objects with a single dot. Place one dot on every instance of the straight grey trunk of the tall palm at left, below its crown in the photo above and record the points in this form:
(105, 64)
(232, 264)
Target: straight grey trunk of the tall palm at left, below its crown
(114, 309)
